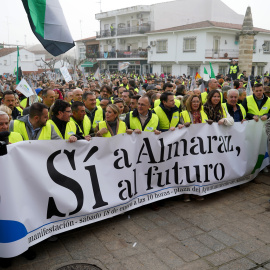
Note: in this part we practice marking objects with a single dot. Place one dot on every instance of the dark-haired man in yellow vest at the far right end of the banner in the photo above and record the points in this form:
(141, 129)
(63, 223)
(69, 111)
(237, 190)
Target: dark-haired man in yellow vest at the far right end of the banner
(257, 105)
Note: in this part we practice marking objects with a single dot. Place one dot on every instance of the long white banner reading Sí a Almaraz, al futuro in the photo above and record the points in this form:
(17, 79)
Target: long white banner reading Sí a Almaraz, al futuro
(74, 184)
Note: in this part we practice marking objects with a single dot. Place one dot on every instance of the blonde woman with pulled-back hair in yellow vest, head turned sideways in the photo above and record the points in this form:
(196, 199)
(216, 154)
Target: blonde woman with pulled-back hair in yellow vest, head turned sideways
(112, 125)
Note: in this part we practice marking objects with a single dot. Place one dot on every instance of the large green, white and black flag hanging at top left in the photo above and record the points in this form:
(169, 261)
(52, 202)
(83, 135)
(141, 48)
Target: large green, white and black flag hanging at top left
(49, 25)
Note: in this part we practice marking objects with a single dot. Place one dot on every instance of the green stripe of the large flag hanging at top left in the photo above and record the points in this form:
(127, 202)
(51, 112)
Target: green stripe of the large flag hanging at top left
(37, 9)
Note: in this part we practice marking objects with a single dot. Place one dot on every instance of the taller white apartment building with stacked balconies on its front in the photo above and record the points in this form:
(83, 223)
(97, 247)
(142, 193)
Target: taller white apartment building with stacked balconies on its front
(123, 33)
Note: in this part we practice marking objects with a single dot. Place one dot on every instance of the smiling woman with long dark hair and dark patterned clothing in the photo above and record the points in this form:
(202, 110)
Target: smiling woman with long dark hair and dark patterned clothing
(215, 111)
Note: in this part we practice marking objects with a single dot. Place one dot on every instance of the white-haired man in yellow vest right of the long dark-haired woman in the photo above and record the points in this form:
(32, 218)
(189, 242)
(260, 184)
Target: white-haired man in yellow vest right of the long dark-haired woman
(237, 111)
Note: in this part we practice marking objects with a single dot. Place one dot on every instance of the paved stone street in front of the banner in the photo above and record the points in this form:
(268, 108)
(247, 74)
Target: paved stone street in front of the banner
(229, 230)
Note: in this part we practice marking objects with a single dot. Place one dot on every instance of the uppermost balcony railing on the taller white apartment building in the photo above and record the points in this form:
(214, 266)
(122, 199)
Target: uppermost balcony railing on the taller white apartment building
(141, 29)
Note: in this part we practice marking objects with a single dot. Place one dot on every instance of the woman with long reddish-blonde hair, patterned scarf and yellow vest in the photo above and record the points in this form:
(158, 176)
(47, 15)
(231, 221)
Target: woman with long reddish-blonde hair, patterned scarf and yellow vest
(194, 113)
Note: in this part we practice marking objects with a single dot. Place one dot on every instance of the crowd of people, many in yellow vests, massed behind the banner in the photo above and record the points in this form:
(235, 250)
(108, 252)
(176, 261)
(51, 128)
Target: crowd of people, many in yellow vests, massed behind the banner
(121, 103)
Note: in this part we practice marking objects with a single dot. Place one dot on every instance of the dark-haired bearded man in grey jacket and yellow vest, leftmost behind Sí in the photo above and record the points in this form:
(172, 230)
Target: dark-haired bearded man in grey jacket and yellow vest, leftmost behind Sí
(35, 125)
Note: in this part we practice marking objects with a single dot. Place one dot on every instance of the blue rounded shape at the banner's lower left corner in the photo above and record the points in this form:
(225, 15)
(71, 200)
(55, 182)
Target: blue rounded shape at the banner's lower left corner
(11, 231)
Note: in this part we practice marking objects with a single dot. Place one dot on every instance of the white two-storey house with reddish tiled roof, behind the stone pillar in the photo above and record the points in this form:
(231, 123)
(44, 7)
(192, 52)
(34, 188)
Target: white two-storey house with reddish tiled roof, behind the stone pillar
(188, 49)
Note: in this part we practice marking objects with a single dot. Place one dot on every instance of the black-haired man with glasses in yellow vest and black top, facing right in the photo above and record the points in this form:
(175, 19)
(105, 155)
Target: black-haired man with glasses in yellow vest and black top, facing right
(67, 130)
